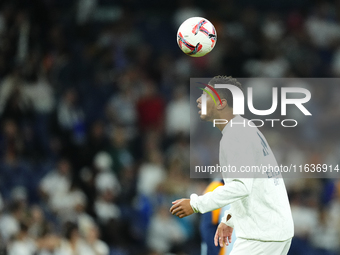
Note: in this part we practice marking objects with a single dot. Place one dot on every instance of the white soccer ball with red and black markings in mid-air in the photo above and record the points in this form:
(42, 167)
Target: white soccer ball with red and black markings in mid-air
(196, 37)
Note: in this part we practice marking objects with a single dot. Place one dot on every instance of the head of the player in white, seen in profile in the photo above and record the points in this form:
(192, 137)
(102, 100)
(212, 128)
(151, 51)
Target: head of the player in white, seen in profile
(216, 111)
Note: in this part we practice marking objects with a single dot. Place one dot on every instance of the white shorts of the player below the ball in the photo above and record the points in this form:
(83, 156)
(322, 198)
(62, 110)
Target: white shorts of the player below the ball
(253, 247)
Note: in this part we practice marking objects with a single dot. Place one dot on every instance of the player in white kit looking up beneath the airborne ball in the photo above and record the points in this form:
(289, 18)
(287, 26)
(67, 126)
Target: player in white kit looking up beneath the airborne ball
(260, 209)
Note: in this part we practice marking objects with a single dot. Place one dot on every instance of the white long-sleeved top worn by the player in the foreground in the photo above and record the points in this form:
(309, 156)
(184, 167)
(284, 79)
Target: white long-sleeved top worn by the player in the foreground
(260, 208)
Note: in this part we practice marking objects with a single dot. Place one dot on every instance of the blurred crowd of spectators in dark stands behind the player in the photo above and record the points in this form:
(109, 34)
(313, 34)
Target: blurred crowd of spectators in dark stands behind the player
(94, 115)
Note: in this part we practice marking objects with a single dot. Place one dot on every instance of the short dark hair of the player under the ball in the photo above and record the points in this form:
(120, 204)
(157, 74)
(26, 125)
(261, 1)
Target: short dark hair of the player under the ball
(225, 93)
